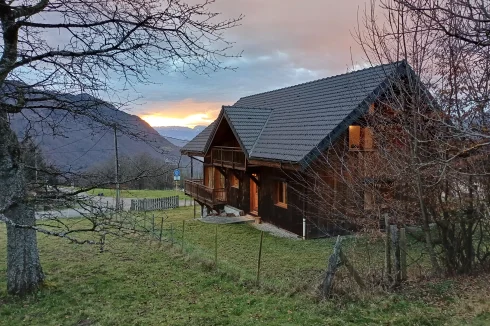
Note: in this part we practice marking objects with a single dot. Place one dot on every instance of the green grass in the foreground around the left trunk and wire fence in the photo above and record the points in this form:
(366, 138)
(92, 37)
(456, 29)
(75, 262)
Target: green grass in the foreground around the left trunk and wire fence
(147, 283)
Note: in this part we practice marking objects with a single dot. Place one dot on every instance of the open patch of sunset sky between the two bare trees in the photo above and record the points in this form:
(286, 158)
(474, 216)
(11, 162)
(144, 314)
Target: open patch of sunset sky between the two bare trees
(284, 42)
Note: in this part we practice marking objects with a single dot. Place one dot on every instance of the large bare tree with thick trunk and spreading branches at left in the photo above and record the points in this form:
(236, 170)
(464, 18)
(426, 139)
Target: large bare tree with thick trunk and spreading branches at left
(74, 47)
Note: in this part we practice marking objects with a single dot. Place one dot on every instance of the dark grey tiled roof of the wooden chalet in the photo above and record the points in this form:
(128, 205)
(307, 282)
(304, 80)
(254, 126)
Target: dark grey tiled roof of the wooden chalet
(293, 124)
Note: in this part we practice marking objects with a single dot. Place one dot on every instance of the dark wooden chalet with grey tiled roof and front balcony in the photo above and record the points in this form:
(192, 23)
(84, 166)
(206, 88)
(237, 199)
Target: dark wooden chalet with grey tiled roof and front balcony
(251, 150)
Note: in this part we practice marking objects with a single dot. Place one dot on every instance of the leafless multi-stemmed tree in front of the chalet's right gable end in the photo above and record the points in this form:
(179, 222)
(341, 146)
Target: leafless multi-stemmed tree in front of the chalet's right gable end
(426, 163)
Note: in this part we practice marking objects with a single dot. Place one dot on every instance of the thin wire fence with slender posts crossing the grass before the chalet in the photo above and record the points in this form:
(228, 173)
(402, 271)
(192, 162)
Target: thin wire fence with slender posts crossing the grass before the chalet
(278, 264)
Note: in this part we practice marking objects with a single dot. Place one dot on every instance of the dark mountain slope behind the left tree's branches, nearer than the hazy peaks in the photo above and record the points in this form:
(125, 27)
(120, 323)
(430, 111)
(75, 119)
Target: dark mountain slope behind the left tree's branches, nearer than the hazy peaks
(80, 134)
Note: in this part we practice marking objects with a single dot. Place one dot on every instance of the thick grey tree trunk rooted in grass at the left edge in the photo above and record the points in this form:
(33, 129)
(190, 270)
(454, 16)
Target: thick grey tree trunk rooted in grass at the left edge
(24, 272)
